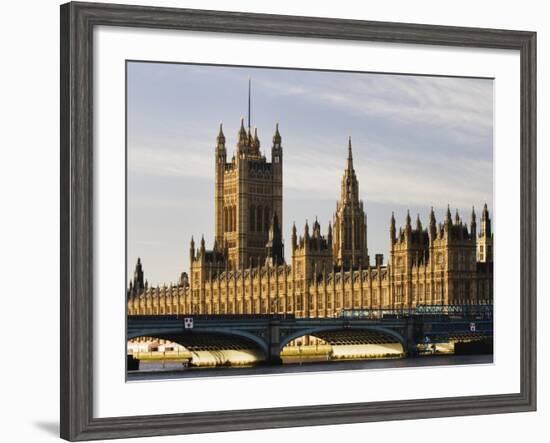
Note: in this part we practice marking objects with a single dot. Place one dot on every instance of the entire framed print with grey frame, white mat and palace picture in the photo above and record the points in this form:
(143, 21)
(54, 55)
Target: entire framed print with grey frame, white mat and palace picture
(261, 213)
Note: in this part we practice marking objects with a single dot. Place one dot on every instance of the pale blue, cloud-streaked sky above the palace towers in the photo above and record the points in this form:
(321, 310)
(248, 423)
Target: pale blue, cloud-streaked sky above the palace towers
(418, 142)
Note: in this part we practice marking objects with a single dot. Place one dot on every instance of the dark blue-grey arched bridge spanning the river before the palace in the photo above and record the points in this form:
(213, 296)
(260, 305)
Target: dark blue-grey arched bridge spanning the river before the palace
(271, 333)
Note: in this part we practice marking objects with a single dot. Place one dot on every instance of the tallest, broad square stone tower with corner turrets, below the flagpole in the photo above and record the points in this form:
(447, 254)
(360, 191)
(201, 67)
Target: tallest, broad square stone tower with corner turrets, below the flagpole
(248, 193)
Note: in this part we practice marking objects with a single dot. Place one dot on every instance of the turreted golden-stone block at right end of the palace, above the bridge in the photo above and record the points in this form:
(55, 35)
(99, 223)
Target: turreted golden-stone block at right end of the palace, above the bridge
(436, 265)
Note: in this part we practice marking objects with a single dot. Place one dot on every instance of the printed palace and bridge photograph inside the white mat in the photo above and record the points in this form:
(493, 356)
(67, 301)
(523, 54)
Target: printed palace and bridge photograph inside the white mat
(283, 220)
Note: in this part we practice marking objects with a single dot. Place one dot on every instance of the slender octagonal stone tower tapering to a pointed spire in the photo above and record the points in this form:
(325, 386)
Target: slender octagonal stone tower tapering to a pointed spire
(350, 222)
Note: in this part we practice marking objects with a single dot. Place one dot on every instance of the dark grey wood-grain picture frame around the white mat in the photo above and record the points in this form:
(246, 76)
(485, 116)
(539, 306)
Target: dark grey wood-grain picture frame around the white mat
(77, 23)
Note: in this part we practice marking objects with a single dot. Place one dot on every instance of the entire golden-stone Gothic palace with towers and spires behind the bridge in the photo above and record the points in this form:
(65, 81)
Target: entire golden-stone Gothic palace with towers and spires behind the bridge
(245, 272)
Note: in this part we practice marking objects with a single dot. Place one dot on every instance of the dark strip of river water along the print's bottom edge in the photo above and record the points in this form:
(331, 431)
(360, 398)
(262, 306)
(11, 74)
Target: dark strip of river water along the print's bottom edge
(172, 370)
